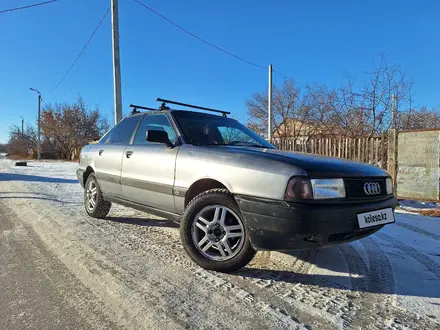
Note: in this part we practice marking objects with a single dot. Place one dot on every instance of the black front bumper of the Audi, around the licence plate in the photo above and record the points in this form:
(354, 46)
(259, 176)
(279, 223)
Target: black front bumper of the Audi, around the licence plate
(278, 225)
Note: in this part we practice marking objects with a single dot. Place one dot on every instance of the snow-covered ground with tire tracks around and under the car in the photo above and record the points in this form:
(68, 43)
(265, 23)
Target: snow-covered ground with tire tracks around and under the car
(134, 265)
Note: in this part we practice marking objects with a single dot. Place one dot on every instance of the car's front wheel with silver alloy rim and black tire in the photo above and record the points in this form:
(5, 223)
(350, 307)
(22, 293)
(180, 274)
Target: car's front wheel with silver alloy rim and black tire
(239, 251)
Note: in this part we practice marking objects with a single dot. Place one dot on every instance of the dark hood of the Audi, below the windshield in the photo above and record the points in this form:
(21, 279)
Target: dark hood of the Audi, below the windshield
(314, 165)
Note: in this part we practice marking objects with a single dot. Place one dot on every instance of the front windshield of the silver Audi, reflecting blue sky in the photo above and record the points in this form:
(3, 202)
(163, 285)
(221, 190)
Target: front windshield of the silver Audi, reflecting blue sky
(204, 129)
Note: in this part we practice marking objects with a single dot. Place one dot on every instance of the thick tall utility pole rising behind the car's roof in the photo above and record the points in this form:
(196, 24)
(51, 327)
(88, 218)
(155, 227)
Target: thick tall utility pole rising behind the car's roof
(116, 63)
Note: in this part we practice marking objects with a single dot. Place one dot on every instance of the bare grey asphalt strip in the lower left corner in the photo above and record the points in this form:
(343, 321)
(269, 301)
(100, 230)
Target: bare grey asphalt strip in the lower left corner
(37, 290)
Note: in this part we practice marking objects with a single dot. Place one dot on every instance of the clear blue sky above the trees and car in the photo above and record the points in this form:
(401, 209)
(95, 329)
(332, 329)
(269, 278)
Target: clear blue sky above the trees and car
(313, 41)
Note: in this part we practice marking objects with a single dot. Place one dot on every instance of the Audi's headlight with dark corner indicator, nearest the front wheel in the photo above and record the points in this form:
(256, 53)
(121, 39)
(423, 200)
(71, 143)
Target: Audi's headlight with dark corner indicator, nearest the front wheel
(301, 188)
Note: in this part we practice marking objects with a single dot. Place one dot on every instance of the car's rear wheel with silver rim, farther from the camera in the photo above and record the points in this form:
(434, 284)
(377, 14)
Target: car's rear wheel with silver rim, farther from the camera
(98, 208)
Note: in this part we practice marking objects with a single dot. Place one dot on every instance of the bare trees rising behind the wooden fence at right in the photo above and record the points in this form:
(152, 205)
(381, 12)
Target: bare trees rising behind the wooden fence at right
(355, 109)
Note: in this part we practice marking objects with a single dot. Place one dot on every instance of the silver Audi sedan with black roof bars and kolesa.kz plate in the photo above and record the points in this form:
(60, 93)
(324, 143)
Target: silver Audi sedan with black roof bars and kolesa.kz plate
(232, 191)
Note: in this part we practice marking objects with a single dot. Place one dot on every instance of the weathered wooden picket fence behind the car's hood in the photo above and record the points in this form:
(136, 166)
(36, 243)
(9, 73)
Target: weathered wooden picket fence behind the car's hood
(371, 150)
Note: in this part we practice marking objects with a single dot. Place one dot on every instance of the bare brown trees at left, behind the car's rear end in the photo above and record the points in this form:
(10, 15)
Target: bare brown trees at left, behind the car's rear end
(65, 129)
